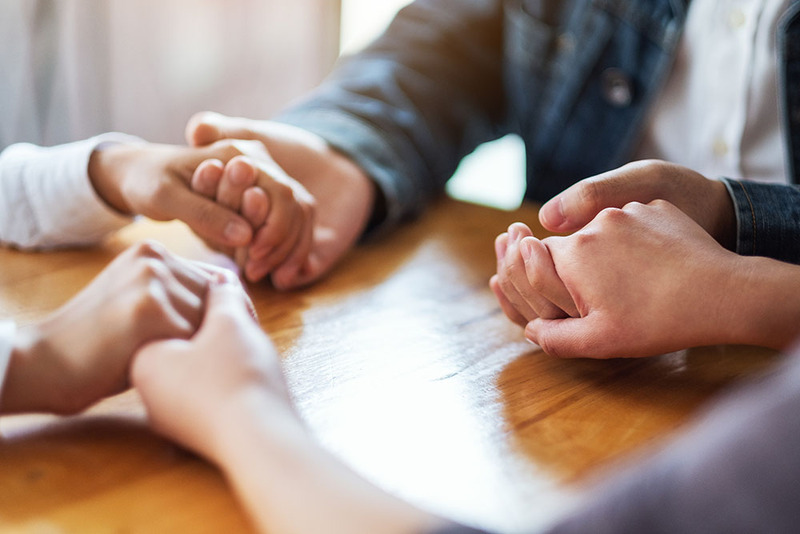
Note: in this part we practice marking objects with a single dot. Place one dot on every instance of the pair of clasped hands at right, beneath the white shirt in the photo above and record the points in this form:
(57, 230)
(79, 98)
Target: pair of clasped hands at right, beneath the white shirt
(645, 271)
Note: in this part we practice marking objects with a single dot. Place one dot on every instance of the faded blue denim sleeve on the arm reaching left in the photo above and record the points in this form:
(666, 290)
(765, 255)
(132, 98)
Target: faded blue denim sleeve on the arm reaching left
(412, 104)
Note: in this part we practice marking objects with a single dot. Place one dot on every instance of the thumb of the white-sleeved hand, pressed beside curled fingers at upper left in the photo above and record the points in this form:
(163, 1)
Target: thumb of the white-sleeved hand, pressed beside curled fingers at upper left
(211, 221)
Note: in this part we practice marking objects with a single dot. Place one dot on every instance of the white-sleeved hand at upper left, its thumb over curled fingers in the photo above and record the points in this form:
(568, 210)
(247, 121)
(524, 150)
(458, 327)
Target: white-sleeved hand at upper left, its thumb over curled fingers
(154, 181)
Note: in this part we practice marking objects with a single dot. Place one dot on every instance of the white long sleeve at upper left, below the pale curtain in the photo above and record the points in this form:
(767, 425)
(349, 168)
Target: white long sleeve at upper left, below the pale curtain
(47, 199)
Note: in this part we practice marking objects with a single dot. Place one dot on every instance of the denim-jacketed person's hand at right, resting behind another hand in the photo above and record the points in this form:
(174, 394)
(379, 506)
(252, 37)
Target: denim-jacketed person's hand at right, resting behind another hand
(706, 201)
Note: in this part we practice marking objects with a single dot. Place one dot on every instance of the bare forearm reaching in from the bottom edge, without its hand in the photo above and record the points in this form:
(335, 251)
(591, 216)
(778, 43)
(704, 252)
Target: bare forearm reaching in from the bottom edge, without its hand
(291, 485)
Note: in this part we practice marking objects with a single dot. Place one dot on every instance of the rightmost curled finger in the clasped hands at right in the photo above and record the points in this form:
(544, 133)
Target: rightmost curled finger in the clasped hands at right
(543, 279)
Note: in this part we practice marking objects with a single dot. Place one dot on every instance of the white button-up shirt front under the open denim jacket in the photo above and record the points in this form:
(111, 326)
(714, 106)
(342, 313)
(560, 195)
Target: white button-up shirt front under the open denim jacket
(718, 113)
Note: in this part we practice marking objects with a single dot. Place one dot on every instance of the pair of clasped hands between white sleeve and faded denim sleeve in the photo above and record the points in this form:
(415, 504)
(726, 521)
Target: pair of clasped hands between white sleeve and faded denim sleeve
(247, 188)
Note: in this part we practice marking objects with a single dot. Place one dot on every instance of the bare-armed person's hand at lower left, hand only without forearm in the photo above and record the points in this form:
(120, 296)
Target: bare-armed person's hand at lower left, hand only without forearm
(192, 387)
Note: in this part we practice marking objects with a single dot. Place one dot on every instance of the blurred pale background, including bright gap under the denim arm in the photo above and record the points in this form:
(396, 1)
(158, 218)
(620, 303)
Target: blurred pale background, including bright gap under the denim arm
(76, 68)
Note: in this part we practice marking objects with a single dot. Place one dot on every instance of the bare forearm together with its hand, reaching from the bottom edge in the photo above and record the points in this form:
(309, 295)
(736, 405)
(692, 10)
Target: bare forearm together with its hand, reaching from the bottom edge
(222, 394)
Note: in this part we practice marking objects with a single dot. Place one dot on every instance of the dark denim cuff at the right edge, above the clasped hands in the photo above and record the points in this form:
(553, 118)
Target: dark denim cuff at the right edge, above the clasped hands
(767, 219)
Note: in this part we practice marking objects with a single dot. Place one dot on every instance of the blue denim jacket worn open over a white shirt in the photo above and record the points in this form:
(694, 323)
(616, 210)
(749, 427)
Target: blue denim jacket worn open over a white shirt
(573, 78)
